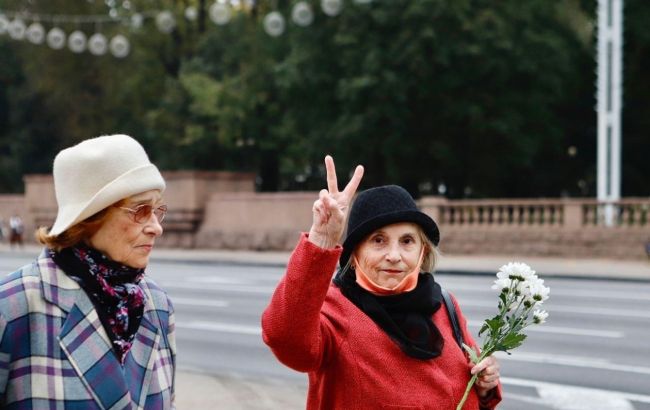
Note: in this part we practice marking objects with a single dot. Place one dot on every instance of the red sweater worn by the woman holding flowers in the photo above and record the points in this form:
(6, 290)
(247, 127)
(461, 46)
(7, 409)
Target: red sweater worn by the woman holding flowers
(352, 363)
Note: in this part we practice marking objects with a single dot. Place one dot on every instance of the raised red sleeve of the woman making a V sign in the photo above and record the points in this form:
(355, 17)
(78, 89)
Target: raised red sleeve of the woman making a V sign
(292, 324)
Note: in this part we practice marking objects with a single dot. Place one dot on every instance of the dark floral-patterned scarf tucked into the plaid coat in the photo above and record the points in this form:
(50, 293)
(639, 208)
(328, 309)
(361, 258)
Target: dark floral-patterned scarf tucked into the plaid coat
(112, 288)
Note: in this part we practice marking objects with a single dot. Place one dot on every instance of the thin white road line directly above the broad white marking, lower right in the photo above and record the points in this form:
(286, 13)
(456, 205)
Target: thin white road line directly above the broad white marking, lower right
(574, 361)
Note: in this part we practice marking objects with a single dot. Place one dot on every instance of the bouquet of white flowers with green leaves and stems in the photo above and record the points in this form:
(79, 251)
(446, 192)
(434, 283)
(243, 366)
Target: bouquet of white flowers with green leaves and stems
(521, 295)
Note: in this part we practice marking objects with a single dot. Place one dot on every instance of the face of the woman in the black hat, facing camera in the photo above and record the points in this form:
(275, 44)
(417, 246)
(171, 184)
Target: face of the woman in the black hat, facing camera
(390, 253)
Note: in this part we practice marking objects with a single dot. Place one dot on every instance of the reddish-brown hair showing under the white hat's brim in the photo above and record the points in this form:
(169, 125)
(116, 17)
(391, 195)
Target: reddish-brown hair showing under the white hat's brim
(77, 233)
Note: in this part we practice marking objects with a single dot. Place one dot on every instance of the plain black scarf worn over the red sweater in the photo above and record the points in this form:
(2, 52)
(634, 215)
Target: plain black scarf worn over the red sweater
(405, 317)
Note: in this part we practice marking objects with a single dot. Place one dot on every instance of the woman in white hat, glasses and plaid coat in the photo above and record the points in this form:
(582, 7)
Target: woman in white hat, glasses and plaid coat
(83, 327)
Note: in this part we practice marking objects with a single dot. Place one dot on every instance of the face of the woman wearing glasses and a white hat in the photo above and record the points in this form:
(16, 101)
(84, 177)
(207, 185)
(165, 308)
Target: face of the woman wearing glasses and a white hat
(124, 240)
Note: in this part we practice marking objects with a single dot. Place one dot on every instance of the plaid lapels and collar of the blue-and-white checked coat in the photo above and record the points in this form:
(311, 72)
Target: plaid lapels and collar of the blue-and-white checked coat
(88, 347)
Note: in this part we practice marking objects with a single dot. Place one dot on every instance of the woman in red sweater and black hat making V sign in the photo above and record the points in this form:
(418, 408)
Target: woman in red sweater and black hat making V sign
(377, 336)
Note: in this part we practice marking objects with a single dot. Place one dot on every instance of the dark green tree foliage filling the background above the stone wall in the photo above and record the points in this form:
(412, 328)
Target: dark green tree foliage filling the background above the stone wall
(488, 99)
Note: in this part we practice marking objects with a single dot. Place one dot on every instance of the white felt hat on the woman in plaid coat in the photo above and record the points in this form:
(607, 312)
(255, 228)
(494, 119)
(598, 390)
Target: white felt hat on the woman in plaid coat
(98, 172)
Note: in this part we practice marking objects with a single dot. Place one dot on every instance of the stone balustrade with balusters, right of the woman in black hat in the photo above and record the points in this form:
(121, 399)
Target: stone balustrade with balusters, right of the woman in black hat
(559, 227)
